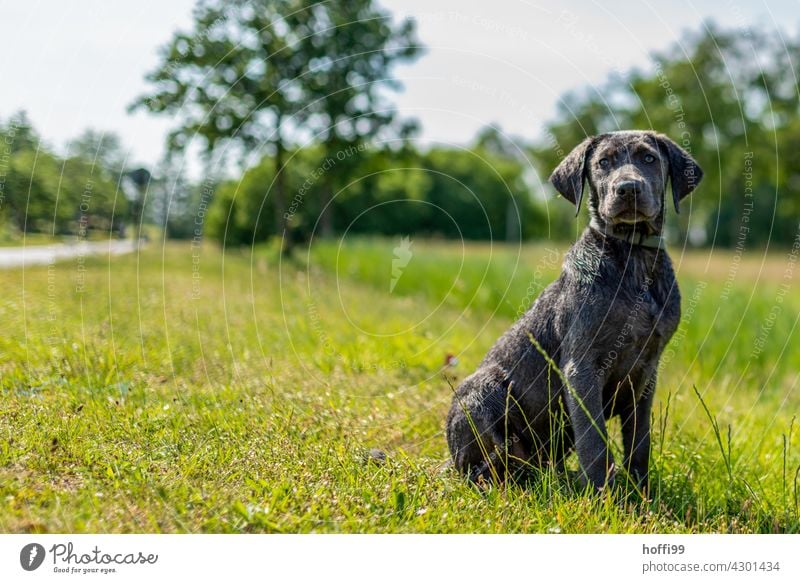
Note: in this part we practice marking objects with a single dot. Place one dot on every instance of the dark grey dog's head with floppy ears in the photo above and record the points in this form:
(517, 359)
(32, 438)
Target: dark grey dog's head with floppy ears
(627, 174)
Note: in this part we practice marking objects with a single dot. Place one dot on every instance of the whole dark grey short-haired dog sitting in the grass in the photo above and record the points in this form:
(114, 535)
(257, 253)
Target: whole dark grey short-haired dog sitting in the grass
(603, 323)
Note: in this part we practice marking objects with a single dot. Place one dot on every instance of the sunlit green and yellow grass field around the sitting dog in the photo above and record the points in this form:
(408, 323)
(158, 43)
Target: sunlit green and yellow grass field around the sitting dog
(183, 390)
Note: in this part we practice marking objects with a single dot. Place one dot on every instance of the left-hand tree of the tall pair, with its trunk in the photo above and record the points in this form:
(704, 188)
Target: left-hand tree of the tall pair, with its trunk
(233, 81)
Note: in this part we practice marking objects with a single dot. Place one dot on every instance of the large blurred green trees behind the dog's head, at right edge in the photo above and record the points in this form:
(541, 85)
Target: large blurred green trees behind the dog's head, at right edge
(726, 97)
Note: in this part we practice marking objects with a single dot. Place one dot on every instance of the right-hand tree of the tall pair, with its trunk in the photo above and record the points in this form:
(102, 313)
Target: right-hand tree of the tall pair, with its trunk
(354, 45)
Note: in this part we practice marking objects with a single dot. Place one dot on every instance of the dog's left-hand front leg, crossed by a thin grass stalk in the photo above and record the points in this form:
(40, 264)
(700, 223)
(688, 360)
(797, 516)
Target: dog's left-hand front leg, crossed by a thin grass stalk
(585, 406)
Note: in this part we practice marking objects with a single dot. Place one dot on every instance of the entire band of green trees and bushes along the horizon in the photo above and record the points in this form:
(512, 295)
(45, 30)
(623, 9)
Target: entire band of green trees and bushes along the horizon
(299, 139)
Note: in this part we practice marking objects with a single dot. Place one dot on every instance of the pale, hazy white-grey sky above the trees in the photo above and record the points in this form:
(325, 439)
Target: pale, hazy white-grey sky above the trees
(79, 64)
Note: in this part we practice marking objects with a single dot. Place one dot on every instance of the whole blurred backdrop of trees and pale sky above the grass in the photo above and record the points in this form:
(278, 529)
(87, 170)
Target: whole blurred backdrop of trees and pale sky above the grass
(250, 122)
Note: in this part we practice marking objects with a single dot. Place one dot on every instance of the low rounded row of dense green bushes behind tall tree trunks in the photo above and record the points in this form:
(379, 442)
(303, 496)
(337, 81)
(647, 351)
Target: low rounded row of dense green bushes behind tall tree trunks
(471, 193)
